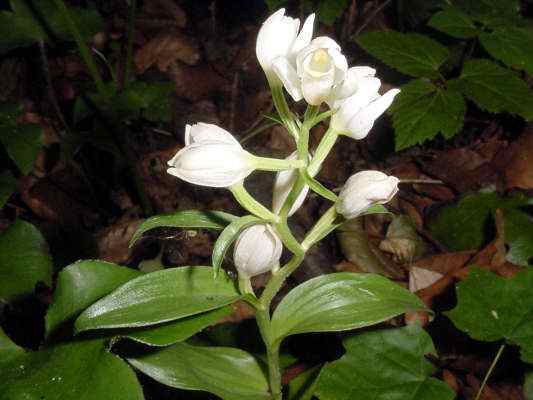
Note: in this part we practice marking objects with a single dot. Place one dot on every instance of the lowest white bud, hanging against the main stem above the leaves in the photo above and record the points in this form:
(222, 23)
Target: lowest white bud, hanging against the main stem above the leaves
(257, 250)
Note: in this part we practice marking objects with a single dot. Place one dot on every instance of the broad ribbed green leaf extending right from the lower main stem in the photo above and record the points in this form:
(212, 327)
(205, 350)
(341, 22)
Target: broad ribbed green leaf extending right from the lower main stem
(340, 301)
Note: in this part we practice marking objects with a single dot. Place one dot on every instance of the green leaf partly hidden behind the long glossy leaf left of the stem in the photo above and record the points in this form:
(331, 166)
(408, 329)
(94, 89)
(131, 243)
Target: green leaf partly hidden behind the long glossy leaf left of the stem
(80, 284)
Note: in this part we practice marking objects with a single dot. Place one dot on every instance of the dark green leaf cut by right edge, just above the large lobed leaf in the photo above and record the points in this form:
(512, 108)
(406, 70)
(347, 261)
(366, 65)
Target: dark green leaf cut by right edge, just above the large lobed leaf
(519, 237)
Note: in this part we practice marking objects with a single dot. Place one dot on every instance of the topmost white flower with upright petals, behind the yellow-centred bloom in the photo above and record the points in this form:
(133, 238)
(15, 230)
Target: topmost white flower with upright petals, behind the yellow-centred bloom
(278, 37)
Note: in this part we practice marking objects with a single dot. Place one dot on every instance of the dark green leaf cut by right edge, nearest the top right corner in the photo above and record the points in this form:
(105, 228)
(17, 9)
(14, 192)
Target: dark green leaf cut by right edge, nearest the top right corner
(511, 45)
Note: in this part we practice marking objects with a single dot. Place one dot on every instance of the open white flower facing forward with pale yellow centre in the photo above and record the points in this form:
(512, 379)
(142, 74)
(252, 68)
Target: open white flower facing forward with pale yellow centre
(319, 72)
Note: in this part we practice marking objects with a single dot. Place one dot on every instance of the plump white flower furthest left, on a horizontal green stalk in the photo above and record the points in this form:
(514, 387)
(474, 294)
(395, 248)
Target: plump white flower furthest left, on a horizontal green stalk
(212, 157)
